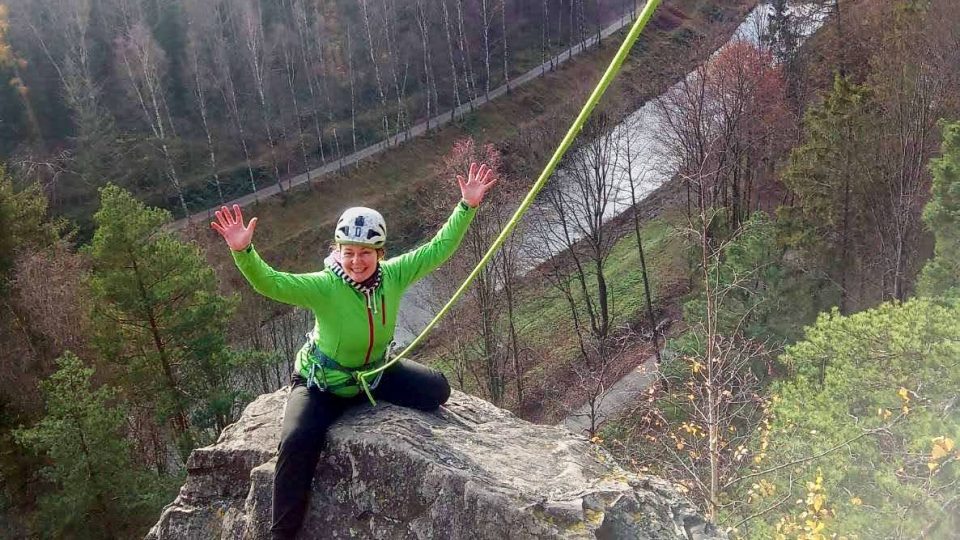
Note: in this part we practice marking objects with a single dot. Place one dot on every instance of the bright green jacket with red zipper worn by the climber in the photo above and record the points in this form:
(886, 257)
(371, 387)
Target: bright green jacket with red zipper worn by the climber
(347, 329)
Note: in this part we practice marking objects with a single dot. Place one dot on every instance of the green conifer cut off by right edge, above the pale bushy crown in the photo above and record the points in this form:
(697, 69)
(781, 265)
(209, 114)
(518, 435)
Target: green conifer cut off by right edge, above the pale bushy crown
(941, 275)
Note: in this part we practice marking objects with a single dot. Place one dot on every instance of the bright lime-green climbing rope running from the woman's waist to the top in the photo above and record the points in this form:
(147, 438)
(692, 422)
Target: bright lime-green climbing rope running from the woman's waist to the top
(645, 15)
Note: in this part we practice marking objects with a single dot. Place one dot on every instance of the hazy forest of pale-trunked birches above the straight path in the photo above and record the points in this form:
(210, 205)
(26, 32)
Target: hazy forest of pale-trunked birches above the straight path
(218, 99)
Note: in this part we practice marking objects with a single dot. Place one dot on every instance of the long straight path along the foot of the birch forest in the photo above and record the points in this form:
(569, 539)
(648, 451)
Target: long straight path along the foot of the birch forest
(415, 131)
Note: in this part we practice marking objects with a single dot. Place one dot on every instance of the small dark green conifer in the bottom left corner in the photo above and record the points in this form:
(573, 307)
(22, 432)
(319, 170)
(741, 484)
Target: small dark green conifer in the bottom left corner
(98, 492)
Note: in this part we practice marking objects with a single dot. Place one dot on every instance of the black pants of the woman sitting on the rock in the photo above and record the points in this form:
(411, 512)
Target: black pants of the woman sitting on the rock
(308, 415)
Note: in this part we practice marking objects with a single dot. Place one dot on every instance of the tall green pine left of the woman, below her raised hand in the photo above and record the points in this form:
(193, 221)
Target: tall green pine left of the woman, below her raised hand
(157, 311)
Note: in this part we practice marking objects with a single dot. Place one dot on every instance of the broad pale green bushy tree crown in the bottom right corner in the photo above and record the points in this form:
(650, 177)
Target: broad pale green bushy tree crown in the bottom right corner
(873, 405)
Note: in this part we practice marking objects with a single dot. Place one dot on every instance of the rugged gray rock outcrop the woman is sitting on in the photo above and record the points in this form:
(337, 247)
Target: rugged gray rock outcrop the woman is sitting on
(469, 470)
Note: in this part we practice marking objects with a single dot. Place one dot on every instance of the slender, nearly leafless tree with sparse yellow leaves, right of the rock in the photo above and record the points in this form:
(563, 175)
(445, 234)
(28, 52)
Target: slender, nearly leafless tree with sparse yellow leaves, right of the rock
(717, 391)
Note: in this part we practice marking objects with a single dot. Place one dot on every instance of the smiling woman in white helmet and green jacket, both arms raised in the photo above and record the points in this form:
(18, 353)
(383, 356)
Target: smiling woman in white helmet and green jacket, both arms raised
(355, 300)
